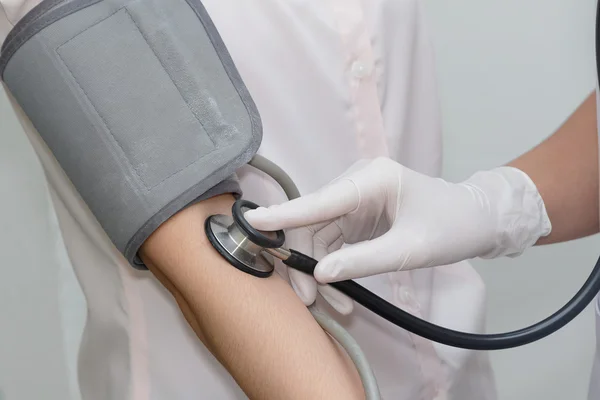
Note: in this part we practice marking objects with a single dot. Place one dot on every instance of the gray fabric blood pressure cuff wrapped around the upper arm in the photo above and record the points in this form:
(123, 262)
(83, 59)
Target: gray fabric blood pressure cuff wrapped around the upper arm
(140, 103)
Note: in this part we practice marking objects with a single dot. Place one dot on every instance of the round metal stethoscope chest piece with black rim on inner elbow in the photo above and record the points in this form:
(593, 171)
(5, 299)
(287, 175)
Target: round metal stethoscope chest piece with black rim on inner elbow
(239, 243)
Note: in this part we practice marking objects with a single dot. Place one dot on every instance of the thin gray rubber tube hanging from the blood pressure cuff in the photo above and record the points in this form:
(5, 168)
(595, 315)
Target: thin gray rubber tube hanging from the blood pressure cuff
(326, 322)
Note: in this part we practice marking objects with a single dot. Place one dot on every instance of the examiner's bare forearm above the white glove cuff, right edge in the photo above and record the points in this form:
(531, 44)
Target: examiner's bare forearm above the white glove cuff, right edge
(565, 170)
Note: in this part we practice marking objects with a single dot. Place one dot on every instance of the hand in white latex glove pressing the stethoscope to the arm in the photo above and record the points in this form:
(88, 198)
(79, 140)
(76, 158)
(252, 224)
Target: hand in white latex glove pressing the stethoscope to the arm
(396, 219)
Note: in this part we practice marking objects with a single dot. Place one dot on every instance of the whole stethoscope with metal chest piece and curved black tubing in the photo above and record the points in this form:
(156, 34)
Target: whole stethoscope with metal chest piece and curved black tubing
(253, 252)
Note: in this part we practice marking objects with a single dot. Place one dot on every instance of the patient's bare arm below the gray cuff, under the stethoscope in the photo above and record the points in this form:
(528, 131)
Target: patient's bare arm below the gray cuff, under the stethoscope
(257, 328)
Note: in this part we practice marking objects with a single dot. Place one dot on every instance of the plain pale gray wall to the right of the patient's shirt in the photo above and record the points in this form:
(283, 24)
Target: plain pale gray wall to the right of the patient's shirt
(510, 72)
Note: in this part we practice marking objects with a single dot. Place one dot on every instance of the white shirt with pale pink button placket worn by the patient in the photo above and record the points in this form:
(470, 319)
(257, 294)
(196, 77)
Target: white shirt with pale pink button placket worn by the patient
(334, 81)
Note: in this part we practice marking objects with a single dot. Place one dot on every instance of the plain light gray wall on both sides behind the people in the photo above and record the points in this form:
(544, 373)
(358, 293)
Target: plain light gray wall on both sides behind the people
(510, 72)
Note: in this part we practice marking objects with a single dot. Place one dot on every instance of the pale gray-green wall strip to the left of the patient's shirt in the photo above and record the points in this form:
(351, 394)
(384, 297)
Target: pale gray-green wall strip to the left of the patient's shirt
(34, 263)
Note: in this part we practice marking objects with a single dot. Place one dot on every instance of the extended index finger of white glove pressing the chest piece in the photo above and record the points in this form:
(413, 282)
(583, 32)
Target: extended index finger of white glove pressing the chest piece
(330, 202)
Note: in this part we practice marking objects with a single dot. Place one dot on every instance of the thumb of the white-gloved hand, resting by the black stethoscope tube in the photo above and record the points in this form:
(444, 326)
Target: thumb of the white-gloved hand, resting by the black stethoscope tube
(373, 257)
